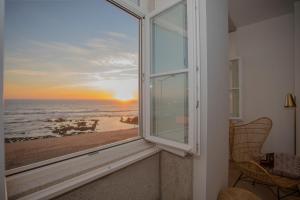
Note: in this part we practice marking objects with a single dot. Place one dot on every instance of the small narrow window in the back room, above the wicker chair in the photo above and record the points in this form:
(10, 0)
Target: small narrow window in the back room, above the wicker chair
(235, 89)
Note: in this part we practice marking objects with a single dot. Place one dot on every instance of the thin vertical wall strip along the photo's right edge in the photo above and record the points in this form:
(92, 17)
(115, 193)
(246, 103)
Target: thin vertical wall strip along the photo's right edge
(297, 68)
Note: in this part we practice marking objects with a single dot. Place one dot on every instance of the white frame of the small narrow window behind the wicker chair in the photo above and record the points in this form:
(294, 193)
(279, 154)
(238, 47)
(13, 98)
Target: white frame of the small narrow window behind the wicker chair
(239, 88)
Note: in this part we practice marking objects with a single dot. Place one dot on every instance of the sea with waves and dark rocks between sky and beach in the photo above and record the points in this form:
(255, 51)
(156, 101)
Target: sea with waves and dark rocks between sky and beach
(33, 119)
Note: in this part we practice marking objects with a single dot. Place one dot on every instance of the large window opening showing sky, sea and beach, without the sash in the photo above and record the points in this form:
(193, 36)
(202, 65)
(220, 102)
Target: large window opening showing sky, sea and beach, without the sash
(71, 78)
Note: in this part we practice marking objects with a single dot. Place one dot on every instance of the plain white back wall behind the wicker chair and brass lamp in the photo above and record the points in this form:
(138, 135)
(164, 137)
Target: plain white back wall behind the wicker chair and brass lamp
(267, 54)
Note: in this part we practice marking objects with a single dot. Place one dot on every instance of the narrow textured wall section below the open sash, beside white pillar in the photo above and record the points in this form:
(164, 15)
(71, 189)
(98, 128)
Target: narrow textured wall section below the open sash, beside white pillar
(176, 177)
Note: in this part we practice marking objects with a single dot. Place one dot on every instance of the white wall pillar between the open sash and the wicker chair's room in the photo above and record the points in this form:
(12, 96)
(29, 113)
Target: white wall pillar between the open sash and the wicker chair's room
(211, 167)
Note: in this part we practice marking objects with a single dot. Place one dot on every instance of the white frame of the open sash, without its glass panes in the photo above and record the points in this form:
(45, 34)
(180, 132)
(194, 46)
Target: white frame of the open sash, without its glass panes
(191, 71)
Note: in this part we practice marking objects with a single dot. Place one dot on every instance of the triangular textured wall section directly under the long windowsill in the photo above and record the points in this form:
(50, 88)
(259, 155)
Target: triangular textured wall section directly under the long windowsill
(139, 181)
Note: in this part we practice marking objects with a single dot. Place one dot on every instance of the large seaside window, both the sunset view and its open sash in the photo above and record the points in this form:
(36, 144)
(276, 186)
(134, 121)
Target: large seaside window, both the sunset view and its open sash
(74, 80)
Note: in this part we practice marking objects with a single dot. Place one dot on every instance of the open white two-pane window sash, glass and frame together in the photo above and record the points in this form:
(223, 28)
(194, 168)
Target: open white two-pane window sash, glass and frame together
(169, 76)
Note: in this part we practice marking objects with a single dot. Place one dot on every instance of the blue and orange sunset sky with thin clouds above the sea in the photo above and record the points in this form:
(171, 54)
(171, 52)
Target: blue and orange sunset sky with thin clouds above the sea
(70, 49)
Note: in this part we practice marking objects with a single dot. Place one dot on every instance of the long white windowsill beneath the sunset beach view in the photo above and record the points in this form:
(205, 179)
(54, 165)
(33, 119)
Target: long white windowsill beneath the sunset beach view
(55, 179)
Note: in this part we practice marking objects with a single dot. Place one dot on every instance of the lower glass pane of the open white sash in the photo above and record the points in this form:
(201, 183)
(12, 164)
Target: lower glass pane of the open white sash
(169, 107)
